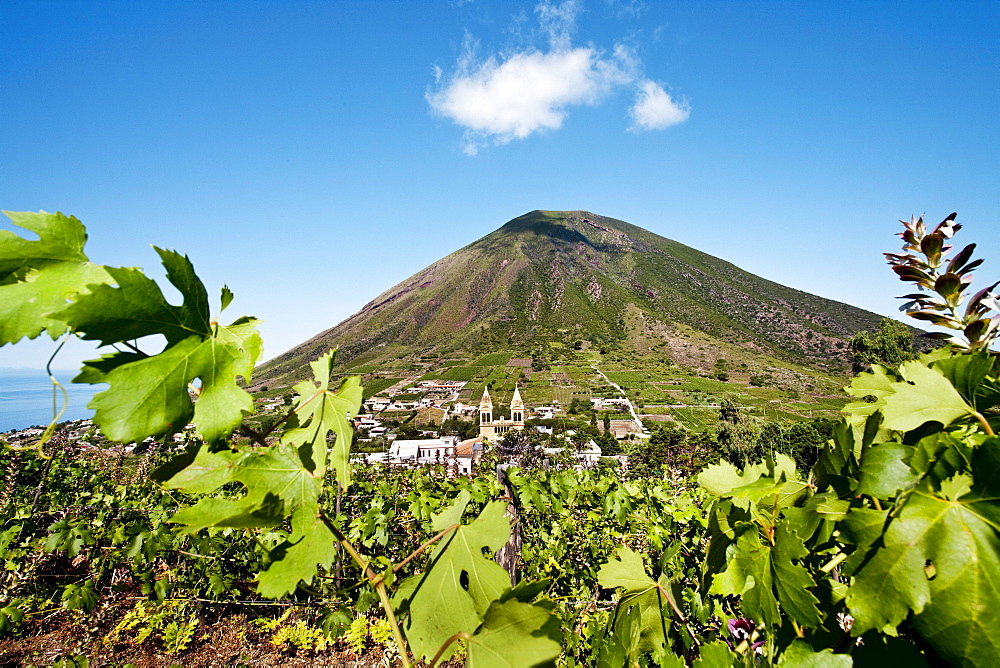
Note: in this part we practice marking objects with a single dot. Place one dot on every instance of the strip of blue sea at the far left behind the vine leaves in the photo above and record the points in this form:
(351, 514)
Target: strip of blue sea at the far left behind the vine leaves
(26, 398)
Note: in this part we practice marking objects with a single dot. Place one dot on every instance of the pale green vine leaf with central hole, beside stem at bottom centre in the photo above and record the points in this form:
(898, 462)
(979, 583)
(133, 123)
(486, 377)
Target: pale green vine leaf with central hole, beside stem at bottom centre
(453, 594)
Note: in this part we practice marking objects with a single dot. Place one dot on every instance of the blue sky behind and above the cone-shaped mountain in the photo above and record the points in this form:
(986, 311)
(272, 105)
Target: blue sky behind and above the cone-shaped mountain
(313, 154)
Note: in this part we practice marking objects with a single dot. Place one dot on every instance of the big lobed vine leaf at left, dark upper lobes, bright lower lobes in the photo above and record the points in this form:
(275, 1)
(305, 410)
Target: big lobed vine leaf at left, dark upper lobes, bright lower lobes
(150, 395)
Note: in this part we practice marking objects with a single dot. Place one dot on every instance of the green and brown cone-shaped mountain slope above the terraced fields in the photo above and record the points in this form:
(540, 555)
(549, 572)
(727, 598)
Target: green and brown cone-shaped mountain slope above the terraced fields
(575, 277)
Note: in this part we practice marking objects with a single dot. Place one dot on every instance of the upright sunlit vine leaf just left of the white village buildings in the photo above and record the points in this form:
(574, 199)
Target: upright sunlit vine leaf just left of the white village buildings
(326, 411)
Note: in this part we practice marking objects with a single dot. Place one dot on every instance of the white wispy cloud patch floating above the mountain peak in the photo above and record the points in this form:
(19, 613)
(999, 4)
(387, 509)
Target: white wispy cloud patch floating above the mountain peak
(512, 96)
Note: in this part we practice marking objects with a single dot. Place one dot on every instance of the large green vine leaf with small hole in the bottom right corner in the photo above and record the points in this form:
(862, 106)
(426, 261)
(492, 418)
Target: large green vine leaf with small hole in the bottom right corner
(955, 609)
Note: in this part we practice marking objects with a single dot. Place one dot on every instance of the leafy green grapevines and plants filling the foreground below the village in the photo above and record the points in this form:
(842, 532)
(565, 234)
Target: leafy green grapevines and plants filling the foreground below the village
(885, 552)
